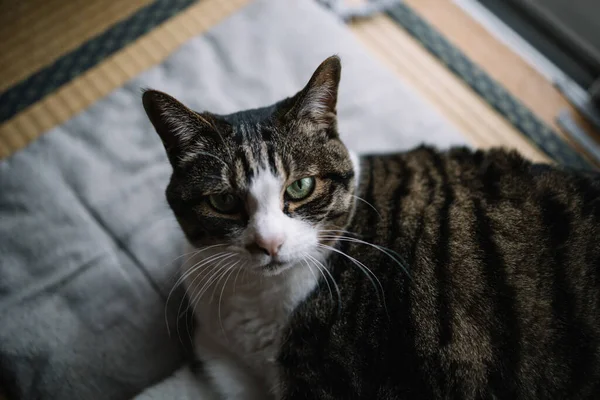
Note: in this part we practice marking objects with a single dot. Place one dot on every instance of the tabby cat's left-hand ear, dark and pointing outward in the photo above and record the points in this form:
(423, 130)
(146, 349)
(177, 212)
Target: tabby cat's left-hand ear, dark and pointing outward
(177, 125)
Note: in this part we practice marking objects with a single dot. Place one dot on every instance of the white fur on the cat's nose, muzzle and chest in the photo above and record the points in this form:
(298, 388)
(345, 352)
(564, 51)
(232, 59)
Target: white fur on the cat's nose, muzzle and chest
(243, 311)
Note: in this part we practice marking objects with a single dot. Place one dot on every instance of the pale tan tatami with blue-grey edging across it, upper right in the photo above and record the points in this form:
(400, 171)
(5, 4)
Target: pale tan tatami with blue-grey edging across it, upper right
(529, 117)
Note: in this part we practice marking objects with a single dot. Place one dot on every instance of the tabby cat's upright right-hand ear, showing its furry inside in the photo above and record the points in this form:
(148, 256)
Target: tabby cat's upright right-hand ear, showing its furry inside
(318, 100)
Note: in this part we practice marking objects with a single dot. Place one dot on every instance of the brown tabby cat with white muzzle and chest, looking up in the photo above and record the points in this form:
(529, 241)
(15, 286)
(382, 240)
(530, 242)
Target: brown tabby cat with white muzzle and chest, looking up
(423, 274)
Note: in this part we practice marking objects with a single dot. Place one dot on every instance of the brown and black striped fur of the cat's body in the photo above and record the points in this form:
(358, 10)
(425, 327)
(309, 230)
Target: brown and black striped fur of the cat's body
(502, 295)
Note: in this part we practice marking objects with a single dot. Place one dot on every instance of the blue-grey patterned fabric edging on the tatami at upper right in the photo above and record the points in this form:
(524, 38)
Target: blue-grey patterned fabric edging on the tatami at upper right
(491, 91)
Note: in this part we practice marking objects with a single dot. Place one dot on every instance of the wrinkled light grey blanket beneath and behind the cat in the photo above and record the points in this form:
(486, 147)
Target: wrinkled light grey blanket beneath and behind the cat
(88, 245)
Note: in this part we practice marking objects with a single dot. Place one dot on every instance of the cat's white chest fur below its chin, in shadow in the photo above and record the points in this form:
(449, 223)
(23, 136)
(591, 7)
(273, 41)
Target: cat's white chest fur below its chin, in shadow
(241, 320)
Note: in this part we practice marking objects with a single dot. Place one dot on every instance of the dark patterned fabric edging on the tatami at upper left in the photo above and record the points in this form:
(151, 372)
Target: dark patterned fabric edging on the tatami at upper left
(48, 79)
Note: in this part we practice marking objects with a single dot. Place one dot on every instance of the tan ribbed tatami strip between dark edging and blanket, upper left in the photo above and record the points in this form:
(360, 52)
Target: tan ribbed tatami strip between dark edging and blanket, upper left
(112, 73)
